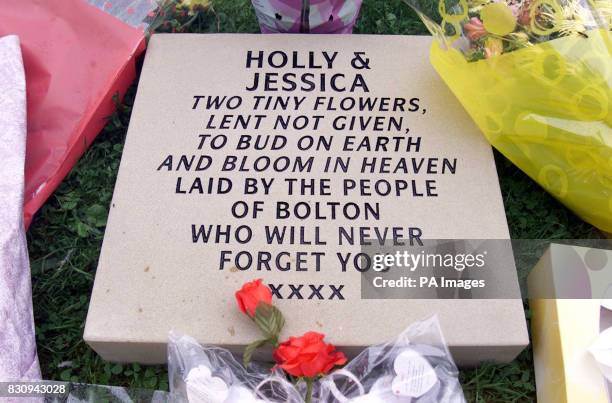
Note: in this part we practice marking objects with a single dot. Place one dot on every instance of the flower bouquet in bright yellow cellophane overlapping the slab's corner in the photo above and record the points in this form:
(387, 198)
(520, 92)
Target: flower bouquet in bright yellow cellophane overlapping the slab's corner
(544, 105)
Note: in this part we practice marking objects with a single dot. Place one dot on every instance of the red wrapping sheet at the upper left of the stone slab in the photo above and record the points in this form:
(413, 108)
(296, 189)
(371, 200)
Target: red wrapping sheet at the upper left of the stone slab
(77, 57)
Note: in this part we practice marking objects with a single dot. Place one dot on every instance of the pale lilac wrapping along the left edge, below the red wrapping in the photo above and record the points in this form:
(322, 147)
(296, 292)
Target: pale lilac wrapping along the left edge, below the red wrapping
(18, 360)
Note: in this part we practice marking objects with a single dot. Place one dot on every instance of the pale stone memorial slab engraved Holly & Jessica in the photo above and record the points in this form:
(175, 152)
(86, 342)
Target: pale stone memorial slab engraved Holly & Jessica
(276, 157)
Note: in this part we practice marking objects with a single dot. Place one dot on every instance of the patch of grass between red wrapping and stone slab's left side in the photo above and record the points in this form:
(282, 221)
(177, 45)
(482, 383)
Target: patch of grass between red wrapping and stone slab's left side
(64, 244)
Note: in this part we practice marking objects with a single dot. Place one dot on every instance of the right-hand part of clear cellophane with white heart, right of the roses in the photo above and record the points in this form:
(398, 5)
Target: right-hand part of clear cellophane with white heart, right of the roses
(416, 367)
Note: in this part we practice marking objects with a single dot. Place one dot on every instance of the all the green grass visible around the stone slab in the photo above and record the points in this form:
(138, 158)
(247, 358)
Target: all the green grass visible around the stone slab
(65, 238)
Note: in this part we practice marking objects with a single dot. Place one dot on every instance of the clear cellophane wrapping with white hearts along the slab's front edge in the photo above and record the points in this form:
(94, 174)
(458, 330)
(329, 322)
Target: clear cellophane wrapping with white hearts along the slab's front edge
(416, 367)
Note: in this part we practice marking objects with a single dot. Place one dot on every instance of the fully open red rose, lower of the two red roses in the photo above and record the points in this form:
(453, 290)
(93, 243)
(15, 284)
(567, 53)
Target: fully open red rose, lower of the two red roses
(308, 355)
